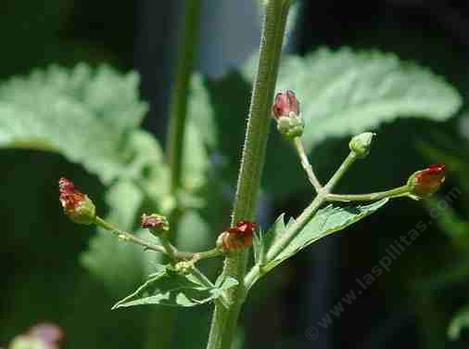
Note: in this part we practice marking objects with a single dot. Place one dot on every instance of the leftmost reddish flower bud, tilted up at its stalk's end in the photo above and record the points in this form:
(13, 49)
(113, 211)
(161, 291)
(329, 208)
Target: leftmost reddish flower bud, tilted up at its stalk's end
(77, 206)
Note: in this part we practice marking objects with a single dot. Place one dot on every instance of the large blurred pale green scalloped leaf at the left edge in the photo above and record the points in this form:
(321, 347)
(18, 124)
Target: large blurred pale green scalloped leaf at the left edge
(72, 112)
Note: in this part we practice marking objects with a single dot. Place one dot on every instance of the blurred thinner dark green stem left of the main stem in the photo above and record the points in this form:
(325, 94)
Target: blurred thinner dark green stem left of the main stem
(180, 92)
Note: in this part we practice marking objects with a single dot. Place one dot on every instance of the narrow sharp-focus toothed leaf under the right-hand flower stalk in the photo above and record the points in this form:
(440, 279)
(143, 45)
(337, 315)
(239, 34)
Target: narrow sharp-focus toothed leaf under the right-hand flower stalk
(328, 220)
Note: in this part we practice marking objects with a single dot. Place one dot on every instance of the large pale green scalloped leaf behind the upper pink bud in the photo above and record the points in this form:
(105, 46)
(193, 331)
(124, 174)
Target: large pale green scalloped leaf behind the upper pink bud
(345, 92)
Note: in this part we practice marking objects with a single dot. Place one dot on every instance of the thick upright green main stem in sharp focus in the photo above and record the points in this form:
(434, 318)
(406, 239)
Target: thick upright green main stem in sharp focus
(224, 320)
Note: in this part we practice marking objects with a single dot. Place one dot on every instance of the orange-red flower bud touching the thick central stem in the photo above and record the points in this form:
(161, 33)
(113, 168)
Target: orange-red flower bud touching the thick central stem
(237, 237)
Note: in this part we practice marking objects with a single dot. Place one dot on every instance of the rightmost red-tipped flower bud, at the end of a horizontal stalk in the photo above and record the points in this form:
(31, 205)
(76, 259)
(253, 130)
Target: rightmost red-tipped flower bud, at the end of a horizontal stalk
(428, 181)
